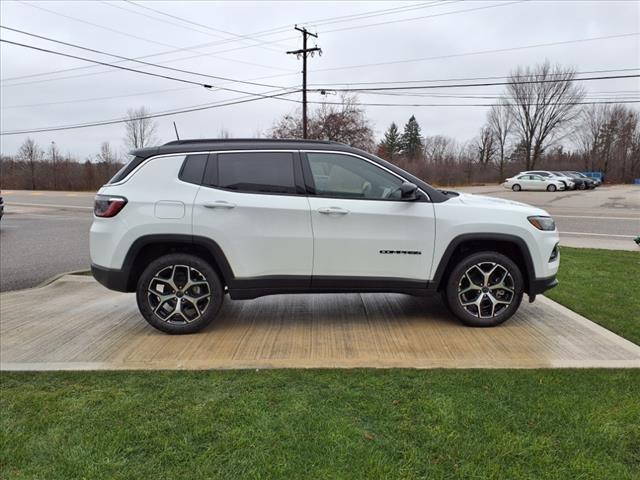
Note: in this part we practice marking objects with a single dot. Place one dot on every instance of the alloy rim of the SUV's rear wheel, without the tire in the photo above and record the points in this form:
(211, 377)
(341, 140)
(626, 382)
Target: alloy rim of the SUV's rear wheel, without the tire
(179, 294)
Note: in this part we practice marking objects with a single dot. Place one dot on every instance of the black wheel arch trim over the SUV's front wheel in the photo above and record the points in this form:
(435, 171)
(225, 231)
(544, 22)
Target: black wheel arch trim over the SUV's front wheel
(466, 244)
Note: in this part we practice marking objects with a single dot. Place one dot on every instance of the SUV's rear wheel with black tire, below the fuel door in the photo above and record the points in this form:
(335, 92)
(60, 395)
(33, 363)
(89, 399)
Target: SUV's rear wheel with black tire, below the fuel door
(197, 314)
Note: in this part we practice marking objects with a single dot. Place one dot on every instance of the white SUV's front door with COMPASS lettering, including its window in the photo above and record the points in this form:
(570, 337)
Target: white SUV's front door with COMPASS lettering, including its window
(362, 228)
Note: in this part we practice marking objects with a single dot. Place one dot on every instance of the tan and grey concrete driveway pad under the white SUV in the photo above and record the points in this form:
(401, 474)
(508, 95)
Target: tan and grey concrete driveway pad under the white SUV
(74, 324)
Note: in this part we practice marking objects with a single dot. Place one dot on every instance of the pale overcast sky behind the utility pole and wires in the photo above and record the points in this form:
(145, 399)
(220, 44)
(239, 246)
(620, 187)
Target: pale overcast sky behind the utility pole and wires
(248, 40)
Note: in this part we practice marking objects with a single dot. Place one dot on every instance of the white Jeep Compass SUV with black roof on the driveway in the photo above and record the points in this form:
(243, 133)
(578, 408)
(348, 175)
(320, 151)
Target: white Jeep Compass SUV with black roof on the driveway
(185, 223)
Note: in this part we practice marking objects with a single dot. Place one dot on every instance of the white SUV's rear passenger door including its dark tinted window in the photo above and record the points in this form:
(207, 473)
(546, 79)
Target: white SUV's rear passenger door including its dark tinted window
(253, 205)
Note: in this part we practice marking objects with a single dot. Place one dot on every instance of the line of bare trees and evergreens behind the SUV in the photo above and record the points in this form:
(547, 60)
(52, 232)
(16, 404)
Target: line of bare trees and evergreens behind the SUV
(541, 111)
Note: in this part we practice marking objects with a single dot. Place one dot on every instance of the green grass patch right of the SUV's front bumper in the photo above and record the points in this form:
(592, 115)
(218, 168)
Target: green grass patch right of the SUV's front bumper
(602, 285)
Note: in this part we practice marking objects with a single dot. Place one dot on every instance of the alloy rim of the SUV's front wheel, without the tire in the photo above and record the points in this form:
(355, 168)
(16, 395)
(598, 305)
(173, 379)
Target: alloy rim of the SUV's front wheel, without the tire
(486, 289)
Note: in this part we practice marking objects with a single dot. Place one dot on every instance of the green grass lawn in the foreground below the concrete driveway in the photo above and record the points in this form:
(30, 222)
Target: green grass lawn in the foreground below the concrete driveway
(562, 424)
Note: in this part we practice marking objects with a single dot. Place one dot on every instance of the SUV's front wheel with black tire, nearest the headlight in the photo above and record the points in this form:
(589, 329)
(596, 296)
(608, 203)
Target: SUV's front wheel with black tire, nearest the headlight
(474, 316)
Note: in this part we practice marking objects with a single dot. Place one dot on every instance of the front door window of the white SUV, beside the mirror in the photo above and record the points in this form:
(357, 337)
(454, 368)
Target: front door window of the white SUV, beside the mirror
(345, 176)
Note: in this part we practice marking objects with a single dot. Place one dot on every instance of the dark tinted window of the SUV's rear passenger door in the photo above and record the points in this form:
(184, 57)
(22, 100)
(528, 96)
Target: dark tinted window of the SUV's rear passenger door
(261, 172)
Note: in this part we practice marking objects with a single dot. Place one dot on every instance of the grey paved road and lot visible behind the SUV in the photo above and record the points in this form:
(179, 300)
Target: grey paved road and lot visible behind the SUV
(46, 233)
